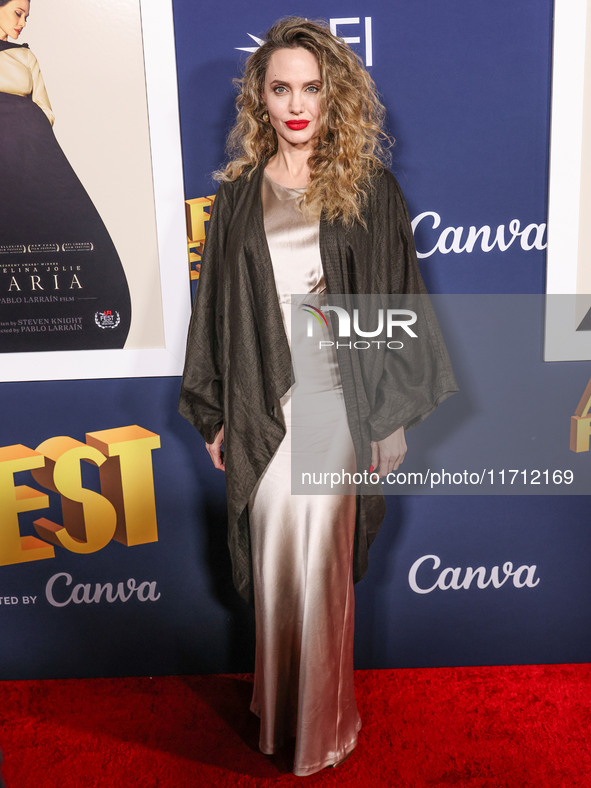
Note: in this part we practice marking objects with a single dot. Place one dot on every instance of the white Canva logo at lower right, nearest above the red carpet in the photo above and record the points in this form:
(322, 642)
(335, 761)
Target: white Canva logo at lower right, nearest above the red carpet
(423, 577)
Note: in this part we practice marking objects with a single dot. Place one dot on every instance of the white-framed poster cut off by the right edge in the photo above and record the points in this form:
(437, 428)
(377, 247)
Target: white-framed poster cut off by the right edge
(568, 307)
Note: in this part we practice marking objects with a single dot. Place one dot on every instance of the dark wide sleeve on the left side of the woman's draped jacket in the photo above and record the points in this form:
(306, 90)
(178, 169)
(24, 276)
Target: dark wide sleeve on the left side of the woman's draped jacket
(201, 398)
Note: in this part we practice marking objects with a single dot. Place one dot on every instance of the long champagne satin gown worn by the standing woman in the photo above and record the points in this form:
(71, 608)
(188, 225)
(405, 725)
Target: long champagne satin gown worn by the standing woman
(302, 545)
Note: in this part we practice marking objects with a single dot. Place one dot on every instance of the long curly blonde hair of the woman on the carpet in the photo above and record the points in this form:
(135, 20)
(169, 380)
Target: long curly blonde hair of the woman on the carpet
(352, 145)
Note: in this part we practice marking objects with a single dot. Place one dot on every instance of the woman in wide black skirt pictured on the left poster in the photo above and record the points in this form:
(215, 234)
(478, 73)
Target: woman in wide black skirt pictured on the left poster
(62, 285)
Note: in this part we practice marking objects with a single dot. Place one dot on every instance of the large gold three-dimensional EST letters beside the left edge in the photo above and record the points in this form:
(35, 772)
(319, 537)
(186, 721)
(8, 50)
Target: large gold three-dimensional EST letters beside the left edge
(124, 510)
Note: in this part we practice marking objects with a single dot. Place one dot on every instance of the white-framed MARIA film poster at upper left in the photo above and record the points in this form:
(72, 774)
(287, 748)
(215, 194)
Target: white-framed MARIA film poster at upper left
(81, 263)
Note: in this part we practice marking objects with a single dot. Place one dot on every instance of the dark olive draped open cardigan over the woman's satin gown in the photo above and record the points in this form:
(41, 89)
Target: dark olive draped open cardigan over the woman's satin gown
(238, 362)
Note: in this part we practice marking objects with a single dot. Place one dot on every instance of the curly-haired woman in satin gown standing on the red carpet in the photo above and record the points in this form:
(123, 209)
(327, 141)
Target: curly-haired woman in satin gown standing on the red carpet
(305, 206)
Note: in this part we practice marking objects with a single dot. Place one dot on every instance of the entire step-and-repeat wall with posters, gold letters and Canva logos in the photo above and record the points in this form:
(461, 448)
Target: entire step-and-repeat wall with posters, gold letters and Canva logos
(113, 556)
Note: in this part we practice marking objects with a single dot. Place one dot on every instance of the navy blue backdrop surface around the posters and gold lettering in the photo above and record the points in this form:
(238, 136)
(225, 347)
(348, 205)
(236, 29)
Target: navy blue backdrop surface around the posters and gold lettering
(467, 88)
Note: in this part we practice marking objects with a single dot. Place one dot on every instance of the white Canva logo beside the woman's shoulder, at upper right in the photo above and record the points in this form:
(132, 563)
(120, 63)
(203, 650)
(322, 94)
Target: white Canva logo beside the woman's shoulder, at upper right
(461, 240)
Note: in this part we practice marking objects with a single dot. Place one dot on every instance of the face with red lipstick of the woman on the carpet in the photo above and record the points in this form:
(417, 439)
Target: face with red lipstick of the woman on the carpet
(292, 97)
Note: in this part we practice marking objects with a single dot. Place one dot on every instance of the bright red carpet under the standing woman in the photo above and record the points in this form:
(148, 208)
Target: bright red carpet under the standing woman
(492, 726)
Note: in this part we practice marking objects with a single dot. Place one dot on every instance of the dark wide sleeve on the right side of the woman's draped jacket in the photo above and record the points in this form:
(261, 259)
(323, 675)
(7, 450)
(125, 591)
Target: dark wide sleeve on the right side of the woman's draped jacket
(413, 380)
